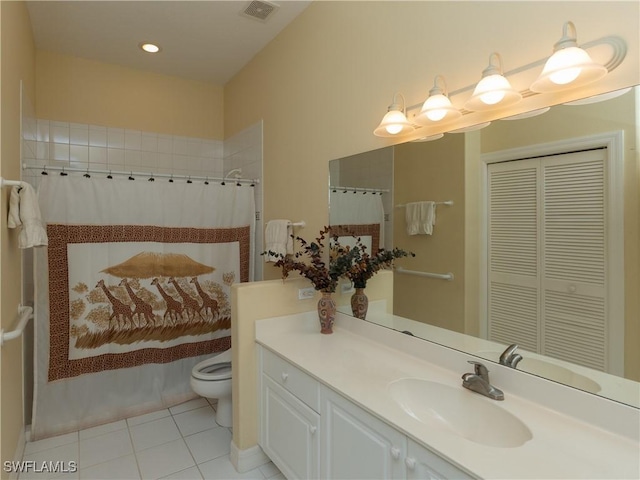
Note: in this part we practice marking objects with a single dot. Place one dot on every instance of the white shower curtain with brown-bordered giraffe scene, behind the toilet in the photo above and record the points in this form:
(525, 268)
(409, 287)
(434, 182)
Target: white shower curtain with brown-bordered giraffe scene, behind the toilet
(132, 291)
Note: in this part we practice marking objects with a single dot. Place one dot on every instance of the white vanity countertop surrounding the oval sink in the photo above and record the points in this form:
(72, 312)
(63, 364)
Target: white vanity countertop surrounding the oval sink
(357, 362)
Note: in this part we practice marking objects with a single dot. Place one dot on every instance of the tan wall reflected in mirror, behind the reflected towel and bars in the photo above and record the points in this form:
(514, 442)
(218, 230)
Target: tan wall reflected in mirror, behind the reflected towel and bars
(432, 171)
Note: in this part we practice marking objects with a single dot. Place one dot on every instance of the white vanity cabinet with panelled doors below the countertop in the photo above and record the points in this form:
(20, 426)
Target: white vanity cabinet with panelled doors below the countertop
(310, 431)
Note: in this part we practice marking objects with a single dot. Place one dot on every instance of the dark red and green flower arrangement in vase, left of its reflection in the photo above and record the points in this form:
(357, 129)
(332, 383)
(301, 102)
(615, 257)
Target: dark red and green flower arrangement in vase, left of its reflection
(323, 276)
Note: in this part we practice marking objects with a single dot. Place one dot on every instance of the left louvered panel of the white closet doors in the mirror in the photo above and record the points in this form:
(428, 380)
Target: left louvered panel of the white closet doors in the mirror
(513, 250)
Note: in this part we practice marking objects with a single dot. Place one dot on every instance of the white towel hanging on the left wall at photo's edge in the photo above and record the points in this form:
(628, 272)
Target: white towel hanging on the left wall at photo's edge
(24, 211)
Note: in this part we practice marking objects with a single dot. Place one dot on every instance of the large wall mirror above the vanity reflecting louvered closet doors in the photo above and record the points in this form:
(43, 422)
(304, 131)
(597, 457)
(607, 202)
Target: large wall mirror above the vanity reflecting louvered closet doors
(534, 240)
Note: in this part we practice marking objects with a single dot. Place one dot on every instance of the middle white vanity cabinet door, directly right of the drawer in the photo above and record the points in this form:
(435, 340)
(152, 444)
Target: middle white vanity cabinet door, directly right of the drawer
(357, 445)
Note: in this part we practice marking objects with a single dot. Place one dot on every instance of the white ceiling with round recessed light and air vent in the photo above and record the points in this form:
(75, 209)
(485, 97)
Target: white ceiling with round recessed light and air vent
(206, 40)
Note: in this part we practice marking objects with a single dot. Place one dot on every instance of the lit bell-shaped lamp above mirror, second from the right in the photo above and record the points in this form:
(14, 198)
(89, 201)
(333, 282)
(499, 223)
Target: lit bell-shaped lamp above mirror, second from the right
(493, 90)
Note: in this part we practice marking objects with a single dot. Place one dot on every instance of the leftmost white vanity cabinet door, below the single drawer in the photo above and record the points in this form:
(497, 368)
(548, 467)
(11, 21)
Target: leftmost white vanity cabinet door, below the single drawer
(289, 432)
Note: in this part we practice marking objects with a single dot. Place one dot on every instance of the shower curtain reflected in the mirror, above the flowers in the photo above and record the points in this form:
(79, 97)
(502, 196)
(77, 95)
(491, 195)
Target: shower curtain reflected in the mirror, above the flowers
(357, 214)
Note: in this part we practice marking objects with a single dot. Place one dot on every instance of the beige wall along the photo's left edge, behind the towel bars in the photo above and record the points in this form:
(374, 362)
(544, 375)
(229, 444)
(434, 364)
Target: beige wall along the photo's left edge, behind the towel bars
(17, 62)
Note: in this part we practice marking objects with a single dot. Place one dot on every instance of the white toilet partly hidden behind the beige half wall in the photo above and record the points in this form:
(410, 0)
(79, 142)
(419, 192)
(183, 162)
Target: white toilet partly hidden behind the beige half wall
(211, 378)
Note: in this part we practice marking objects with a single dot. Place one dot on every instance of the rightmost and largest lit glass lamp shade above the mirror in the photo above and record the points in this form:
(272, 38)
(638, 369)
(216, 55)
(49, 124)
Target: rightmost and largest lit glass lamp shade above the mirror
(569, 66)
